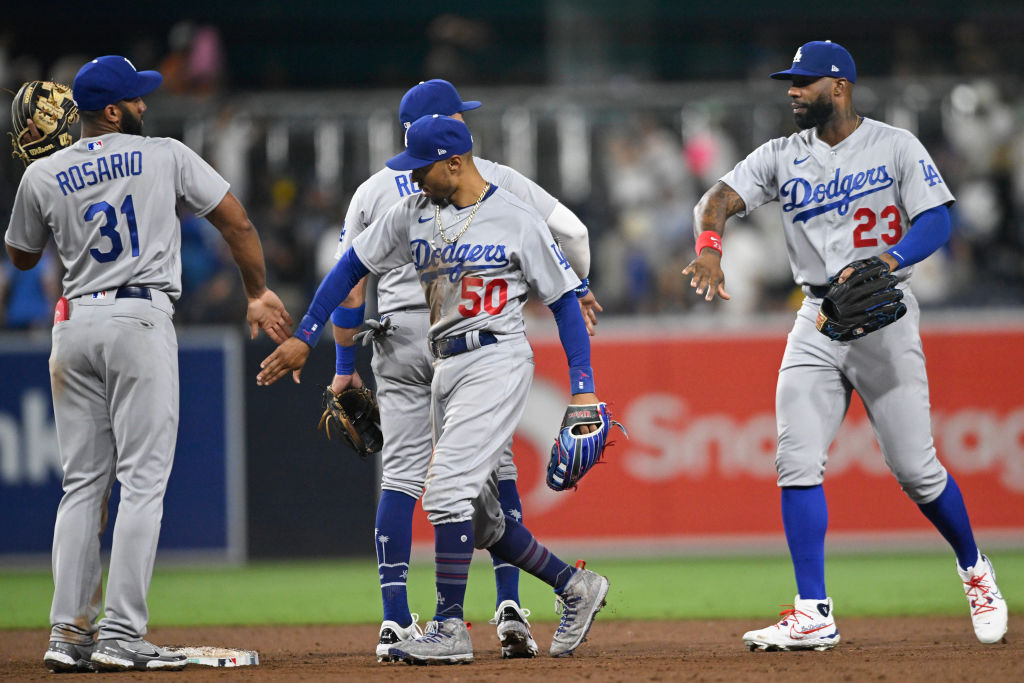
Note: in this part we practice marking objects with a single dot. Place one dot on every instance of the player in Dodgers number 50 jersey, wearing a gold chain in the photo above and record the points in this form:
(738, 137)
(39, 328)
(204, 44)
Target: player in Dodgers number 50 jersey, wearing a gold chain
(477, 250)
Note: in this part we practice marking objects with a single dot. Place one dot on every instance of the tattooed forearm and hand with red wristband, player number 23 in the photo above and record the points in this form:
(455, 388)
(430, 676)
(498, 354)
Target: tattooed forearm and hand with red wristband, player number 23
(717, 205)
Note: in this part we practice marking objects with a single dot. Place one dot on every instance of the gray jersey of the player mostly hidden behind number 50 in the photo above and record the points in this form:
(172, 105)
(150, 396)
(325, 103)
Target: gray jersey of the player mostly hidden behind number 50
(400, 289)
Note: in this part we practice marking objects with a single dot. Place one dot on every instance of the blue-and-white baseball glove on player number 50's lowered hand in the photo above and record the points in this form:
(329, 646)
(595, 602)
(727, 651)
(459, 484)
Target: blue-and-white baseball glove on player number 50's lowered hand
(574, 455)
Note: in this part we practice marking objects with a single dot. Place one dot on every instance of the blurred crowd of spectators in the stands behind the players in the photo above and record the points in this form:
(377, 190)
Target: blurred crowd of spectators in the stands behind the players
(647, 170)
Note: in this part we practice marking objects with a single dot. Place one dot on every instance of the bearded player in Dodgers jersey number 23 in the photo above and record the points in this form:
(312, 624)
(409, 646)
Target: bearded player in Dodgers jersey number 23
(849, 188)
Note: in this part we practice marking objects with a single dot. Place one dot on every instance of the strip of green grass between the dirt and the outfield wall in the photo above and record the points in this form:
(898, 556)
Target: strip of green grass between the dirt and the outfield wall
(324, 592)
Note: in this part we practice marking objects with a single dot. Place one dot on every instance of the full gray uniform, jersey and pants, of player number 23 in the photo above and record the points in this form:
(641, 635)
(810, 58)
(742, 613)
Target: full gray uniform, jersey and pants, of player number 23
(839, 204)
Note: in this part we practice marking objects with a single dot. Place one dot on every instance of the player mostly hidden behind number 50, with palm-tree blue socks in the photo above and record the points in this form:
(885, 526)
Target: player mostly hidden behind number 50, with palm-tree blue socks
(404, 369)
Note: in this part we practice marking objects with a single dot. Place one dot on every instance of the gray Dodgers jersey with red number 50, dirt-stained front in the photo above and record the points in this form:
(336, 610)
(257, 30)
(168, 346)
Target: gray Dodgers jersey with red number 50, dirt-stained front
(480, 282)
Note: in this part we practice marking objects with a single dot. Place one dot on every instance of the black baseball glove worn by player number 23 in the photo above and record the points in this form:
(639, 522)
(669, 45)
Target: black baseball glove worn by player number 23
(867, 302)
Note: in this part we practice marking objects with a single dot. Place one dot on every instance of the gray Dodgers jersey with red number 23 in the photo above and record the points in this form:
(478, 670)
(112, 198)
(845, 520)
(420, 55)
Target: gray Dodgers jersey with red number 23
(841, 203)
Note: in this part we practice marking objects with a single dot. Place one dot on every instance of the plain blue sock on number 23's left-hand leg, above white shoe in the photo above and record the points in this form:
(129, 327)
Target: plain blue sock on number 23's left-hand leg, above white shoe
(805, 518)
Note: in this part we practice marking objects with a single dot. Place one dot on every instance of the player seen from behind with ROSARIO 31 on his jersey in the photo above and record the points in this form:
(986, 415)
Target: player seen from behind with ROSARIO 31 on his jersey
(109, 202)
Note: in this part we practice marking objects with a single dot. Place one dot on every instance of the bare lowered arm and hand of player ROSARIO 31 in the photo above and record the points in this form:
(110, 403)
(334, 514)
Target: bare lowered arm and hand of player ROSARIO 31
(266, 310)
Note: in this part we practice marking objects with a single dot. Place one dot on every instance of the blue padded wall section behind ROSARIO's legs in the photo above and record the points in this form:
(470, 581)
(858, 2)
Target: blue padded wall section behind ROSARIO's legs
(199, 507)
